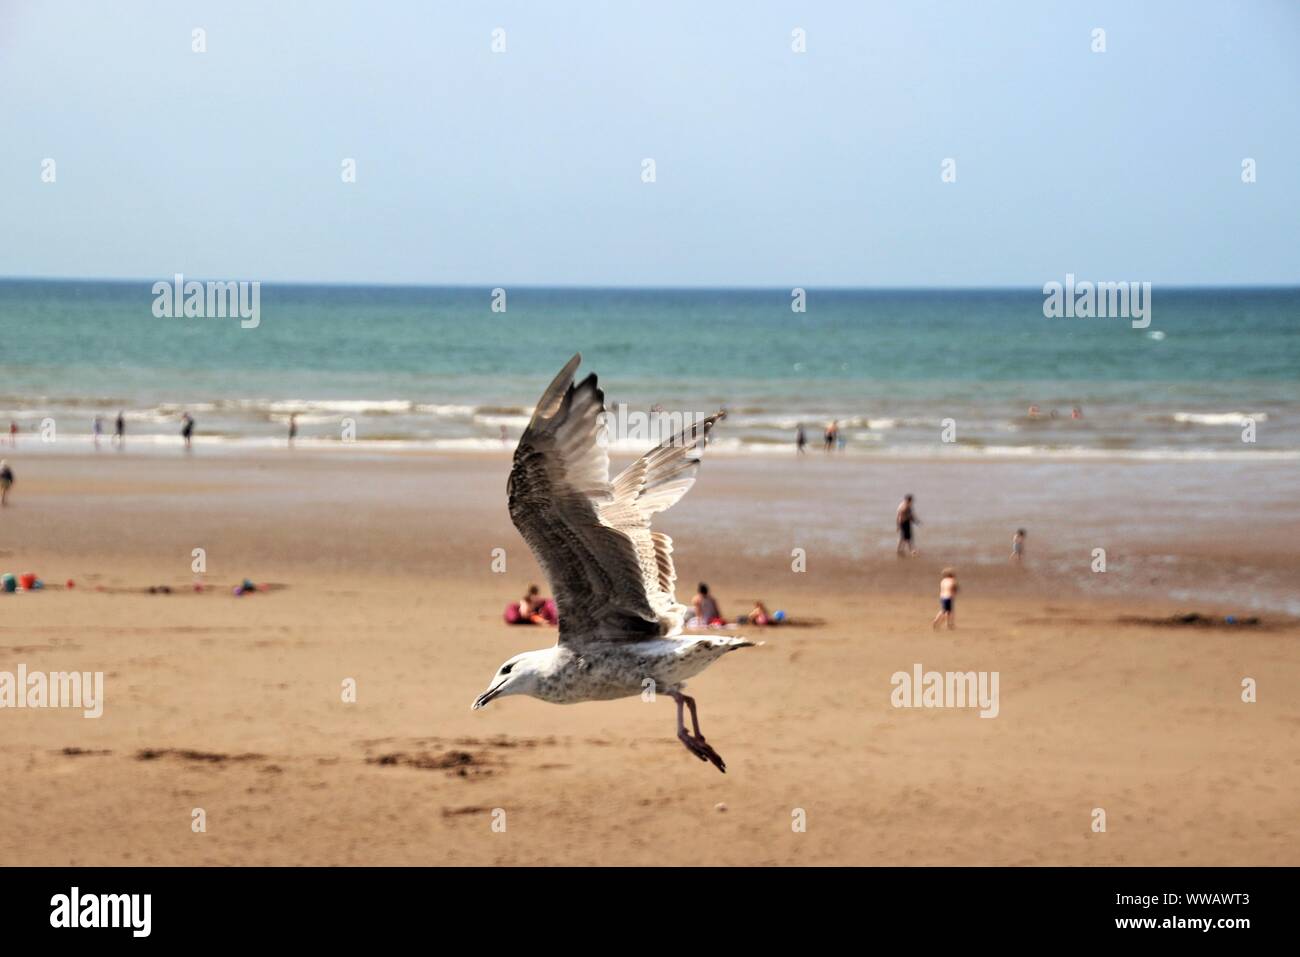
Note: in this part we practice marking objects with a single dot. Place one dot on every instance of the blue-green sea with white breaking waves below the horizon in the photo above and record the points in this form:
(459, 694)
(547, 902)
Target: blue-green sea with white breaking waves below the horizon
(903, 373)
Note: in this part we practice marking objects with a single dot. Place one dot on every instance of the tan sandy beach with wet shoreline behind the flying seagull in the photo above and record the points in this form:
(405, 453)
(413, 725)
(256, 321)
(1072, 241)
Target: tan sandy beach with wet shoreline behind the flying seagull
(235, 704)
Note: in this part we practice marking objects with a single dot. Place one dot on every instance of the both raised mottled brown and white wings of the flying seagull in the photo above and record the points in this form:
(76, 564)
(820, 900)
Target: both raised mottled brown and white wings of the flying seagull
(613, 577)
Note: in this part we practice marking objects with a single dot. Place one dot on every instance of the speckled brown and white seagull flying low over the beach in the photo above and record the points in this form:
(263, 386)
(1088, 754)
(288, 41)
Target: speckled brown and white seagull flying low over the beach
(619, 621)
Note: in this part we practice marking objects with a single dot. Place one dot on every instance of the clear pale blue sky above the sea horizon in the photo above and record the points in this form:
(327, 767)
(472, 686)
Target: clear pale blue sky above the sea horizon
(774, 168)
